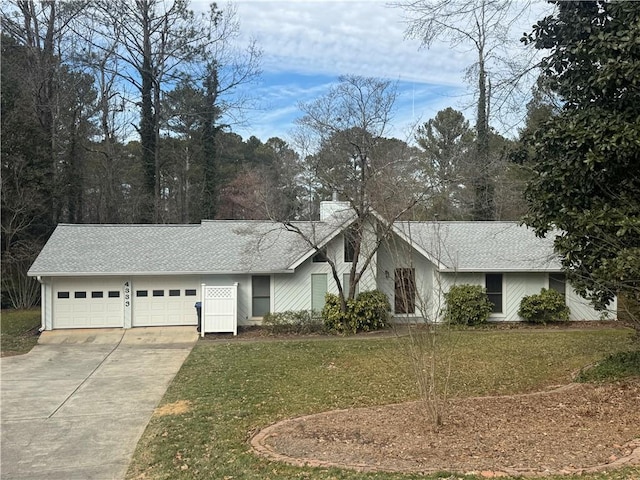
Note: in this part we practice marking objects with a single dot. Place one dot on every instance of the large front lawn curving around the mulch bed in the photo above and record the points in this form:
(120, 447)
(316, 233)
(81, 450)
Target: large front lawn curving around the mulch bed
(236, 388)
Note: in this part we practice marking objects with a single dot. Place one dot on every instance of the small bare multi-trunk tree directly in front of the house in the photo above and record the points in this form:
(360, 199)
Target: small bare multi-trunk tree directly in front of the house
(349, 156)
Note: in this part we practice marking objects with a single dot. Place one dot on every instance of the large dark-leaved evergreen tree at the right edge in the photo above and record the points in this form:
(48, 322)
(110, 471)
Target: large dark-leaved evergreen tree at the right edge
(586, 159)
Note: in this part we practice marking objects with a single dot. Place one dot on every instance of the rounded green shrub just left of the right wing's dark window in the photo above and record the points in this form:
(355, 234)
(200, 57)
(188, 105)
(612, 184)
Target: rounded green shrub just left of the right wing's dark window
(467, 305)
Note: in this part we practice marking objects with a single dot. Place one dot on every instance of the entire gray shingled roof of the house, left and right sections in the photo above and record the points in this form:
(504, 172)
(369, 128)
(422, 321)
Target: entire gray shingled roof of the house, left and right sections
(229, 246)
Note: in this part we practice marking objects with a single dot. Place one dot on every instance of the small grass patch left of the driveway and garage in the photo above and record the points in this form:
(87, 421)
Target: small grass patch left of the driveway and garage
(19, 331)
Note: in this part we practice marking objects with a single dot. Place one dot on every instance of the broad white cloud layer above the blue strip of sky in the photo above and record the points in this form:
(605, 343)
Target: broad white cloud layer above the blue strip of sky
(335, 38)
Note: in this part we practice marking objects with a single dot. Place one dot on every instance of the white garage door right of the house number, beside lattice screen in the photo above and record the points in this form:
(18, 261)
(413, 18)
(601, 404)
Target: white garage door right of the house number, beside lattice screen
(165, 301)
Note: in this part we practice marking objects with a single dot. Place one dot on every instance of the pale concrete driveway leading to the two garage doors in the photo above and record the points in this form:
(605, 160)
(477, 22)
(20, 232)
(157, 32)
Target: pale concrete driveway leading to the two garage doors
(76, 405)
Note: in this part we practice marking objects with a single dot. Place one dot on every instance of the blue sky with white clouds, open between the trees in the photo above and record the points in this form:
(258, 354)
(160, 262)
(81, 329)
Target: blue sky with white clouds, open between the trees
(307, 44)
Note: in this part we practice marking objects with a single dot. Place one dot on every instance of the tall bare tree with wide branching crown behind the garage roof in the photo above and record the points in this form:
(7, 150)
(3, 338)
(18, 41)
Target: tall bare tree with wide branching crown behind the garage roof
(159, 44)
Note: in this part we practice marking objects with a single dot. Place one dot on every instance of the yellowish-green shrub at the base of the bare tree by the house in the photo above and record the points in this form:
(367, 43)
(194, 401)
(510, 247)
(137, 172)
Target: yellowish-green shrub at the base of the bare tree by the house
(368, 311)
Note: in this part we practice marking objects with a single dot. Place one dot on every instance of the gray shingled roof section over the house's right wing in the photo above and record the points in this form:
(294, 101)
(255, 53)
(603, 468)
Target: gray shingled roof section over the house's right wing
(482, 246)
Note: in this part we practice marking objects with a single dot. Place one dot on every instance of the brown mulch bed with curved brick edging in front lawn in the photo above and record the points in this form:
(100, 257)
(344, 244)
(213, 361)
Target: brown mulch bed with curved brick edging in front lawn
(573, 429)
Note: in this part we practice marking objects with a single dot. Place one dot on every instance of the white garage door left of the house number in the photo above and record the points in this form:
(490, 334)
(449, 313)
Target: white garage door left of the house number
(88, 303)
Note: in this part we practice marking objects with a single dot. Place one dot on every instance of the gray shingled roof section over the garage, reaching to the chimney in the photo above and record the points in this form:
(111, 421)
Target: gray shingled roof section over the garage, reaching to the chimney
(211, 247)
